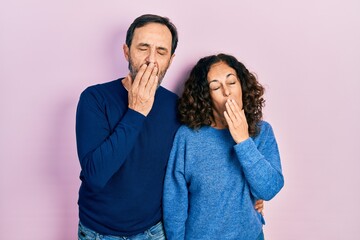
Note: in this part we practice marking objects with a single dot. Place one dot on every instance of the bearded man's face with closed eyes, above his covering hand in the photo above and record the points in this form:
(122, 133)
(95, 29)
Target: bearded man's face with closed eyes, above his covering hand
(150, 43)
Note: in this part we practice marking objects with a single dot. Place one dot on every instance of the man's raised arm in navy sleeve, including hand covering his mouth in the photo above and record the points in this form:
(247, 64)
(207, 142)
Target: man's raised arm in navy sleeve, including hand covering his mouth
(101, 150)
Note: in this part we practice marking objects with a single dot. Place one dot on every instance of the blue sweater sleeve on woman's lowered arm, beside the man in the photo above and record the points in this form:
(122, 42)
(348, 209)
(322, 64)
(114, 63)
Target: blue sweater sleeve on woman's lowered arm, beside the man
(175, 198)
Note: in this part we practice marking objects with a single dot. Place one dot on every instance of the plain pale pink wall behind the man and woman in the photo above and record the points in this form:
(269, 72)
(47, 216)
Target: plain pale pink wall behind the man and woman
(306, 53)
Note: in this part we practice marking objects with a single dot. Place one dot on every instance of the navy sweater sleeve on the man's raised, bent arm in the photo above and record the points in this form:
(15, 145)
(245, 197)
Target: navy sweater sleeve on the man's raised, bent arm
(102, 150)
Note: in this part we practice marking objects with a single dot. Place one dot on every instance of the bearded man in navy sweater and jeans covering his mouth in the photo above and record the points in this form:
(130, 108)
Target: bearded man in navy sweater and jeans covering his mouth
(125, 130)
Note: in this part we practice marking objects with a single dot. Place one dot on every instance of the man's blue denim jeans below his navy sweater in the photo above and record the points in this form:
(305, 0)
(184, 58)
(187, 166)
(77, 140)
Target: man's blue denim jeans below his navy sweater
(156, 232)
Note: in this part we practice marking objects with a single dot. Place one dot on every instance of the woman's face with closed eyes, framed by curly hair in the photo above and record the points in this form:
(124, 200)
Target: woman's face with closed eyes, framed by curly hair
(224, 84)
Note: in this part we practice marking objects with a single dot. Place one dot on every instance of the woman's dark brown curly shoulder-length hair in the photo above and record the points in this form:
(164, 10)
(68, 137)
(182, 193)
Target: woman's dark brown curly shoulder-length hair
(195, 105)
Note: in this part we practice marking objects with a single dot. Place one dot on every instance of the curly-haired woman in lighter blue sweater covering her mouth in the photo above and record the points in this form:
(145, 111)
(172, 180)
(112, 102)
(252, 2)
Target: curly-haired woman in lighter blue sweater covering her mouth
(224, 157)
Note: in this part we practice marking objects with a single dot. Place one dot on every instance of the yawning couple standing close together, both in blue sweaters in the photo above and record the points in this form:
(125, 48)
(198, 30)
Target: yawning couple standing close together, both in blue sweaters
(155, 166)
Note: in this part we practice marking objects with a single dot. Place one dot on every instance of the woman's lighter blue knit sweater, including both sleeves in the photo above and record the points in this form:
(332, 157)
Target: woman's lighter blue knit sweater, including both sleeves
(212, 183)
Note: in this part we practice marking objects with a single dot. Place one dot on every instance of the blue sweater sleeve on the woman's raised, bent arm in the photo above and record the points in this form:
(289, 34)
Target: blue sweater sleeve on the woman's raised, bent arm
(261, 164)
